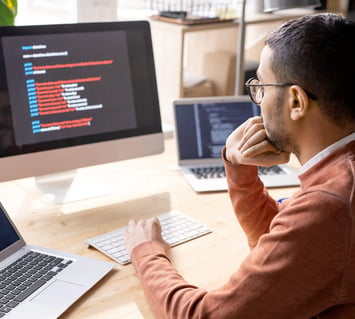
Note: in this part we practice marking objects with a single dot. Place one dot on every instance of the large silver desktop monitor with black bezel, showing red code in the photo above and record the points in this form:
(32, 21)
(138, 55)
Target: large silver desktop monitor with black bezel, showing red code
(76, 95)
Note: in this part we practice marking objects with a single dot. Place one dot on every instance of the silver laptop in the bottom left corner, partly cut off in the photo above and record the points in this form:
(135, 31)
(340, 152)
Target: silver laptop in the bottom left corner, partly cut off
(37, 282)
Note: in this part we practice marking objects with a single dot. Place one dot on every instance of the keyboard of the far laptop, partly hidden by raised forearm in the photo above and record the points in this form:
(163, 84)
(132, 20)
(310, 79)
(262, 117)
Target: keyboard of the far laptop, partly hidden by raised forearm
(208, 172)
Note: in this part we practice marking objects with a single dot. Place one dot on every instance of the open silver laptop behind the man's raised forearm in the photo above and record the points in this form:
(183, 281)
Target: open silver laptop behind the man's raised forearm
(201, 128)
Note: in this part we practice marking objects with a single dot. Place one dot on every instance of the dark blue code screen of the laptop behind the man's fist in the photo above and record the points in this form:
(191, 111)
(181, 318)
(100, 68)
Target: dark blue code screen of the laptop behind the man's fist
(202, 128)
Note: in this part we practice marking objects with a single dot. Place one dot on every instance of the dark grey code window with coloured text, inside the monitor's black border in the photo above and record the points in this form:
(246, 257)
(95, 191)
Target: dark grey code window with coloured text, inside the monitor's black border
(72, 85)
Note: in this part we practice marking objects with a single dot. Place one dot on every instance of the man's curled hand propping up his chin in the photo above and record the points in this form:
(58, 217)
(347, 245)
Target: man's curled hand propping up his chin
(248, 145)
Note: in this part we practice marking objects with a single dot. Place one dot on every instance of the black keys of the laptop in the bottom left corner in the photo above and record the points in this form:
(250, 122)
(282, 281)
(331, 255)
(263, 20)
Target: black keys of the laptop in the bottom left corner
(23, 277)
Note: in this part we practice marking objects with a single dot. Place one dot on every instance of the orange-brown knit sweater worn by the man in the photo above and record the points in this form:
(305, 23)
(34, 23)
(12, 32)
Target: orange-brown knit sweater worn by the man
(302, 259)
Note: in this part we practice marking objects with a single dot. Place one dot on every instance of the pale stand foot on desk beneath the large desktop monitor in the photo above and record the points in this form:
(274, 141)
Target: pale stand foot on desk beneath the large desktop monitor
(70, 186)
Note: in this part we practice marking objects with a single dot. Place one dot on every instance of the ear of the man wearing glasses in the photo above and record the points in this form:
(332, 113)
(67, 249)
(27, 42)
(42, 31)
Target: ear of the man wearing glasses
(298, 102)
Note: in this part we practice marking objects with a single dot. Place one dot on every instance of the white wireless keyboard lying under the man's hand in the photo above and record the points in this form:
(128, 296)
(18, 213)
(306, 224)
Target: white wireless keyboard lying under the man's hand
(177, 228)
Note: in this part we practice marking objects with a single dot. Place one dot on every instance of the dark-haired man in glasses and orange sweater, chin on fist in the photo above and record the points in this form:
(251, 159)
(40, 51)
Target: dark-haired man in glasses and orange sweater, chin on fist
(302, 258)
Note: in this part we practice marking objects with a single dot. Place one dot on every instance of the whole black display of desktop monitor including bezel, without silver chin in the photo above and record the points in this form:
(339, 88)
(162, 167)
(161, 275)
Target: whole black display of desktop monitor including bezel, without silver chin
(65, 87)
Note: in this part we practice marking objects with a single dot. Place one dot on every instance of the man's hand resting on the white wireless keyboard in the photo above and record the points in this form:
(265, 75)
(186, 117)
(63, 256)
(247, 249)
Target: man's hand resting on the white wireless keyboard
(142, 231)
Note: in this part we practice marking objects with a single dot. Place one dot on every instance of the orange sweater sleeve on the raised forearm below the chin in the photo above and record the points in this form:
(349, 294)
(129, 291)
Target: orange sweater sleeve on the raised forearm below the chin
(251, 202)
